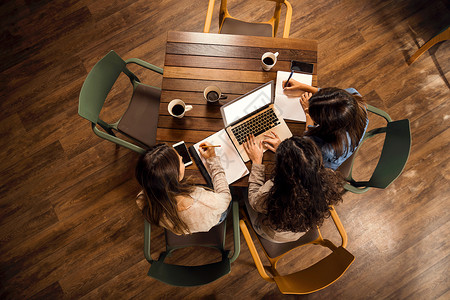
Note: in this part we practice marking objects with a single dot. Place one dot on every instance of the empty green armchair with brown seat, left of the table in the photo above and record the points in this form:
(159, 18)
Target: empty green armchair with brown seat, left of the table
(140, 120)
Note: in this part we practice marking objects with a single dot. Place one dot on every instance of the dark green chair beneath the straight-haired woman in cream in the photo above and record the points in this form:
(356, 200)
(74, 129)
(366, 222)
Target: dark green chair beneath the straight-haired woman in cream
(179, 275)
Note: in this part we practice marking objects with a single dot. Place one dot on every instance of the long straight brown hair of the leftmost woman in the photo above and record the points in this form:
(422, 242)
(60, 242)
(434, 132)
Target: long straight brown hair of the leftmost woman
(158, 171)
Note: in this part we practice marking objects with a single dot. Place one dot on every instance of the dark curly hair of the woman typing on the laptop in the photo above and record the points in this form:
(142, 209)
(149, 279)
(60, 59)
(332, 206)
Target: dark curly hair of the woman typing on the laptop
(302, 188)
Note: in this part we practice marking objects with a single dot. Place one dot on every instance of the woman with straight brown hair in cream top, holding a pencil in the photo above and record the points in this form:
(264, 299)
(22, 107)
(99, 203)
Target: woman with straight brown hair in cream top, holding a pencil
(168, 201)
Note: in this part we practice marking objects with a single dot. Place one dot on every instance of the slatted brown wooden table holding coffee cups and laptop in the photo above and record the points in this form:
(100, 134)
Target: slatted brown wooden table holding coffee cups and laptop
(231, 62)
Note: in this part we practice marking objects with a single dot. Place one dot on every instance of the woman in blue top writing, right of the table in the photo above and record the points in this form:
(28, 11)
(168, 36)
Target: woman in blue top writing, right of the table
(336, 119)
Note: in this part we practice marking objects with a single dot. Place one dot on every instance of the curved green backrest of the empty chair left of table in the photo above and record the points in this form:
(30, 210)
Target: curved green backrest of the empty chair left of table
(98, 84)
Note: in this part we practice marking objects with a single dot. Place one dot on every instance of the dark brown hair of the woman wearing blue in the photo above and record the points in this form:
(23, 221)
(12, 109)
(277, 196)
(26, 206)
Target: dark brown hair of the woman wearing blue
(337, 113)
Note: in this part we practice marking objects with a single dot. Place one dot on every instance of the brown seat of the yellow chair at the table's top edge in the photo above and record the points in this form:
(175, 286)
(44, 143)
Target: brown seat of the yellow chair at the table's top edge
(234, 26)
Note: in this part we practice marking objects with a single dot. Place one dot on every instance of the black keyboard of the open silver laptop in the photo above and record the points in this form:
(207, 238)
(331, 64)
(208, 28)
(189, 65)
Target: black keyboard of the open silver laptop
(256, 125)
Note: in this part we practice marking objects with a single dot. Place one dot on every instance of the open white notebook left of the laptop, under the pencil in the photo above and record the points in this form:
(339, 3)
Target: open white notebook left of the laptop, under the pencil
(231, 161)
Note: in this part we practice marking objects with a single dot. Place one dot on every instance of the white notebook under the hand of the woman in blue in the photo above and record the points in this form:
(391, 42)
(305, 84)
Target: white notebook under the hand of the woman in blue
(289, 105)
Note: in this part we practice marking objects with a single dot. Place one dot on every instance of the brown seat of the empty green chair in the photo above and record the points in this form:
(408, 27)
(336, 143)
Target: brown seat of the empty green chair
(141, 118)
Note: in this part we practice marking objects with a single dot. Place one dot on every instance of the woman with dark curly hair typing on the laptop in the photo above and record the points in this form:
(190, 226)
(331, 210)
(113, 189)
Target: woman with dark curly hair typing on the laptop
(298, 196)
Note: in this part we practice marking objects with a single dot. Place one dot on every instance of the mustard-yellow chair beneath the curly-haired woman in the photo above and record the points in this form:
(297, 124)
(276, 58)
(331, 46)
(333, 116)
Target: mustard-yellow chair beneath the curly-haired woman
(311, 279)
